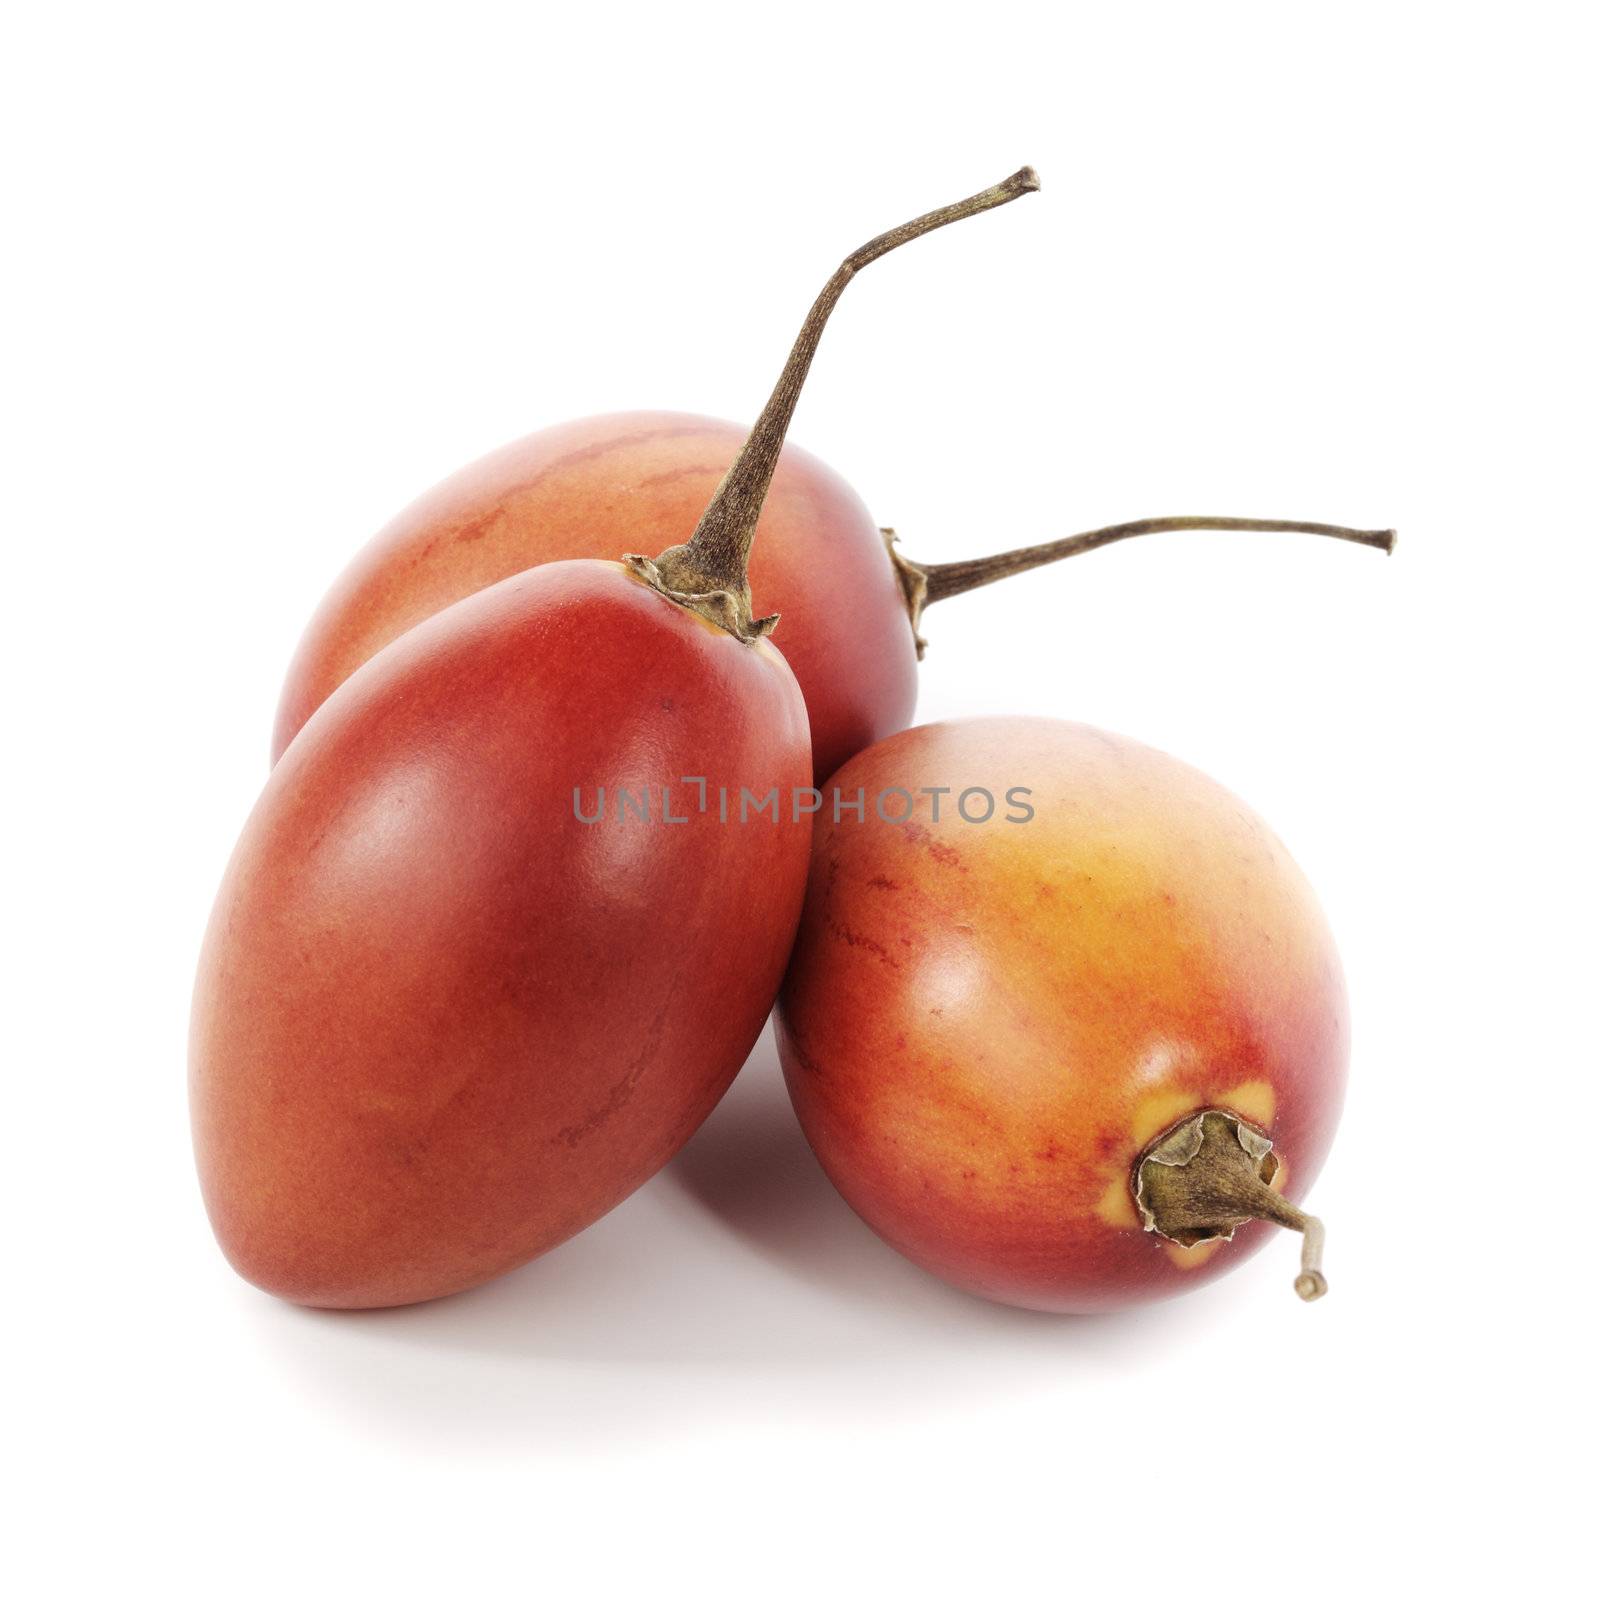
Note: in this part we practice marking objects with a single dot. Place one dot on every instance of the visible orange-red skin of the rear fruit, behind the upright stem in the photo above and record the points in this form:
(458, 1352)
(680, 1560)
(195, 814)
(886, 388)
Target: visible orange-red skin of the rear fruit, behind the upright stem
(636, 482)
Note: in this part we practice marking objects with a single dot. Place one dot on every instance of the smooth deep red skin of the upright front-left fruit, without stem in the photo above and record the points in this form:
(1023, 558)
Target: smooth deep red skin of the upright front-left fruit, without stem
(441, 1025)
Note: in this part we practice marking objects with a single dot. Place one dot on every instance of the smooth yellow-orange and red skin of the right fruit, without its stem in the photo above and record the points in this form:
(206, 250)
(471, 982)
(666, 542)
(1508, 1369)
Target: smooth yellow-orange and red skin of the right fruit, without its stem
(985, 1025)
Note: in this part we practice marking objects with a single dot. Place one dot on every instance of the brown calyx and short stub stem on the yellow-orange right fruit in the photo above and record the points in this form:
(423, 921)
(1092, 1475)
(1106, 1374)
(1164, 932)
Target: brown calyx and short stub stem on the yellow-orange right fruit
(1212, 1174)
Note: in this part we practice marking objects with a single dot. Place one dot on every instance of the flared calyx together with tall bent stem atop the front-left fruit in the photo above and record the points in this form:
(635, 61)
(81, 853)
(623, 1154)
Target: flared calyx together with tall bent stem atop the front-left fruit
(708, 574)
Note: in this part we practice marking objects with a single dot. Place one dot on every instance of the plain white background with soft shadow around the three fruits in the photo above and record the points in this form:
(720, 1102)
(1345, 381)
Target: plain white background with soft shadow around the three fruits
(276, 270)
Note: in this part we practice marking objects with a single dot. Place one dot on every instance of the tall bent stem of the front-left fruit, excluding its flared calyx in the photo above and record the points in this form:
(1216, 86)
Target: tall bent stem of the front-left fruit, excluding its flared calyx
(722, 540)
